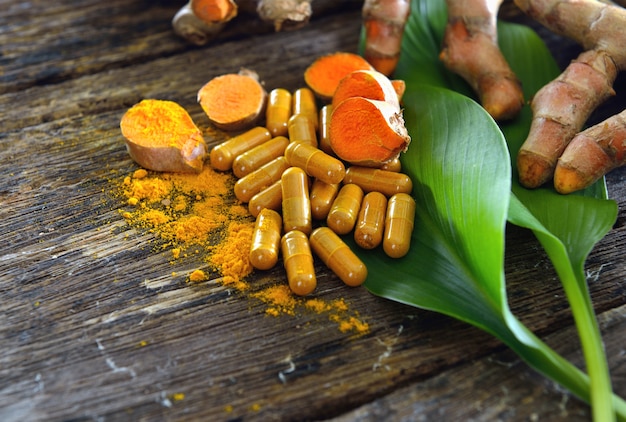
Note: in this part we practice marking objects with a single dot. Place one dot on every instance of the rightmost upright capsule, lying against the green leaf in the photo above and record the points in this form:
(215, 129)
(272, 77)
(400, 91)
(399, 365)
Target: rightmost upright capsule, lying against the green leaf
(399, 225)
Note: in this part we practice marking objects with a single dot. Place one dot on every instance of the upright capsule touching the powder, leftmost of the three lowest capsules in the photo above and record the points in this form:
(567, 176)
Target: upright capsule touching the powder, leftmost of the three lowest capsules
(266, 240)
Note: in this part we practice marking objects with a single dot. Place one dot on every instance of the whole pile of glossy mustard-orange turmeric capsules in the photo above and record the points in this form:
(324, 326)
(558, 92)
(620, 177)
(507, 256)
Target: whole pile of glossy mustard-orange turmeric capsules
(304, 198)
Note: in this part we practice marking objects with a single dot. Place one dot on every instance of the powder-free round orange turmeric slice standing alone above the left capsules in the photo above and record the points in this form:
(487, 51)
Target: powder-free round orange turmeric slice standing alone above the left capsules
(234, 101)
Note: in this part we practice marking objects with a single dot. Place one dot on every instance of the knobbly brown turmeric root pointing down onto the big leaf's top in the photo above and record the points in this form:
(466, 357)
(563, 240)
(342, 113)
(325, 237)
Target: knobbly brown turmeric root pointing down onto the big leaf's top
(470, 49)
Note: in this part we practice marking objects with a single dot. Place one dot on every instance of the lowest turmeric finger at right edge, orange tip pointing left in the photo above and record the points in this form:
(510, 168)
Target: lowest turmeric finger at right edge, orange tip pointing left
(591, 154)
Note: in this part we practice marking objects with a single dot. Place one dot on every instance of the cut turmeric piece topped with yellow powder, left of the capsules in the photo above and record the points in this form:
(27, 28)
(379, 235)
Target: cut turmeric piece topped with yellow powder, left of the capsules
(160, 135)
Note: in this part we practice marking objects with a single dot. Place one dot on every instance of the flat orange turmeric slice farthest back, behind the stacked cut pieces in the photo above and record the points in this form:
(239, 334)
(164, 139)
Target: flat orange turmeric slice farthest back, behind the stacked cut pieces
(324, 74)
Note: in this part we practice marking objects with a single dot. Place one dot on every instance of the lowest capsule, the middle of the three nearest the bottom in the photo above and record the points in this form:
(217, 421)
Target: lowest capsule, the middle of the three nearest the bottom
(298, 262)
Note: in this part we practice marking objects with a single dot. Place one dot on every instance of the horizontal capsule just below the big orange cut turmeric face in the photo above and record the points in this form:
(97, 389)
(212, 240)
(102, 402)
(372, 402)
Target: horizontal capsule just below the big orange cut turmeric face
(371, 179)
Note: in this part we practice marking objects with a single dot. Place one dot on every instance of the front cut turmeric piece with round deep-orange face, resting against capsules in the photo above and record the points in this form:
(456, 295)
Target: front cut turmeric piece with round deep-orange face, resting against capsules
(367, 132)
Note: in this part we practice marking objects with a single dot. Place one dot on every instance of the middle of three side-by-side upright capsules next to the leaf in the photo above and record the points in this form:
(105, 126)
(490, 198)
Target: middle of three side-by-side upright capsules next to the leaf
(370, 225)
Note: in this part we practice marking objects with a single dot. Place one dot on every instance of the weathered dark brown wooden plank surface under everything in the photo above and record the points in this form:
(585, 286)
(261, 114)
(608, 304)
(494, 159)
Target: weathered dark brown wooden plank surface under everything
(94, 327)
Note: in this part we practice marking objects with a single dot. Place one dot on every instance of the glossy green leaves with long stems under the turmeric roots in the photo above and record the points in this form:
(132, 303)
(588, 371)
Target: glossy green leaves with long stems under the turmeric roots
(466, 188)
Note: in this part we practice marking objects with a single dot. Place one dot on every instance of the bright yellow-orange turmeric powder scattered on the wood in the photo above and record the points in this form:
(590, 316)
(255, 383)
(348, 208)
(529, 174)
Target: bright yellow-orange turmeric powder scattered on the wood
(198, 213)
